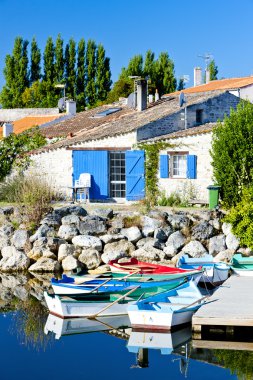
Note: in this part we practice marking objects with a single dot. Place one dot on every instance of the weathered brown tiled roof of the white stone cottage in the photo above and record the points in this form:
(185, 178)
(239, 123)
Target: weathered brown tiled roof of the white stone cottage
(86, 128)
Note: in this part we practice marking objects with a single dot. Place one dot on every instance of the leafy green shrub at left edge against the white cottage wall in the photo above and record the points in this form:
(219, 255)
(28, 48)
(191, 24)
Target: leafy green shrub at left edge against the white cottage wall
(13, 148)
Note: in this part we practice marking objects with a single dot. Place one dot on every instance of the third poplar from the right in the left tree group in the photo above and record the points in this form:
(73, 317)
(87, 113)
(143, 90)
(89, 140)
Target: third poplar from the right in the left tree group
(80, 76)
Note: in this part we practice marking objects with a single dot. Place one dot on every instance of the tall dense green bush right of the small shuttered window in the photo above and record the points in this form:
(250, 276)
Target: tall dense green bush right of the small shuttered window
(232, 153)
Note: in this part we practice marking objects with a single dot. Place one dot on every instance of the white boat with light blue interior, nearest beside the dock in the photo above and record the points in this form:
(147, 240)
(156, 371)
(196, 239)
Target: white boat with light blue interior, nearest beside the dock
(167, 310)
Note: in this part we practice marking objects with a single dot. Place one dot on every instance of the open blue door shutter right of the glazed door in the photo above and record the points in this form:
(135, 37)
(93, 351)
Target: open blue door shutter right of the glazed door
(135, 180)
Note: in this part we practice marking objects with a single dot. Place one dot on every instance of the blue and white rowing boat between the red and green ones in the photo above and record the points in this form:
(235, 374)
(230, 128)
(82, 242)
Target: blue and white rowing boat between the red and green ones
(69, 286)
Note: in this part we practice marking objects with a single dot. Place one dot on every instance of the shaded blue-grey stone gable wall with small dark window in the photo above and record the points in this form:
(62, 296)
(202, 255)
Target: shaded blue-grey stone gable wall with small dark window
(213, 109)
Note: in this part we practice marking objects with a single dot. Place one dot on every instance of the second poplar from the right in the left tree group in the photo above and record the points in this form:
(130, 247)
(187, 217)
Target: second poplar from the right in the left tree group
(90, 89)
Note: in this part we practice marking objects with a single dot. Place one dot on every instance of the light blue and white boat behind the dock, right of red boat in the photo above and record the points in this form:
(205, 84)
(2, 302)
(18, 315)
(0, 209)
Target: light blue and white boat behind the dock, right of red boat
(213, 273)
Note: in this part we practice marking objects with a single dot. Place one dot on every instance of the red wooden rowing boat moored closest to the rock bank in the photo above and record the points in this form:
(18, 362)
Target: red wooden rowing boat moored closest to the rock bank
(142, 268)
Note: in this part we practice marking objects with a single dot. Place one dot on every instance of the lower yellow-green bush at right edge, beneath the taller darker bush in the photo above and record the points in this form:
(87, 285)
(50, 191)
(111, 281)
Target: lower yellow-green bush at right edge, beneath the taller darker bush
(241, 218)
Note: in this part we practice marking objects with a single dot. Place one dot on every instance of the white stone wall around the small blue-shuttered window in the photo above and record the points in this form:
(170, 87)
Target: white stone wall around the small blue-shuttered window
(200, 146)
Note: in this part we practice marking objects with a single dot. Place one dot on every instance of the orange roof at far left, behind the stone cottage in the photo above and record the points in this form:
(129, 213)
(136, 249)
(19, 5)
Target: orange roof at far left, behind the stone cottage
(28, 122)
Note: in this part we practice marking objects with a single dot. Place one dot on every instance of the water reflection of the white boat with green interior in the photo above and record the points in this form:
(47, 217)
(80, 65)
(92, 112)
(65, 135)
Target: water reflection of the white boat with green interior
(61, 327)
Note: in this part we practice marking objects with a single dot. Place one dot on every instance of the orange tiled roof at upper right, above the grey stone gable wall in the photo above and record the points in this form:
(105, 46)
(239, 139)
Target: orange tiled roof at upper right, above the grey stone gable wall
(215, 85)
